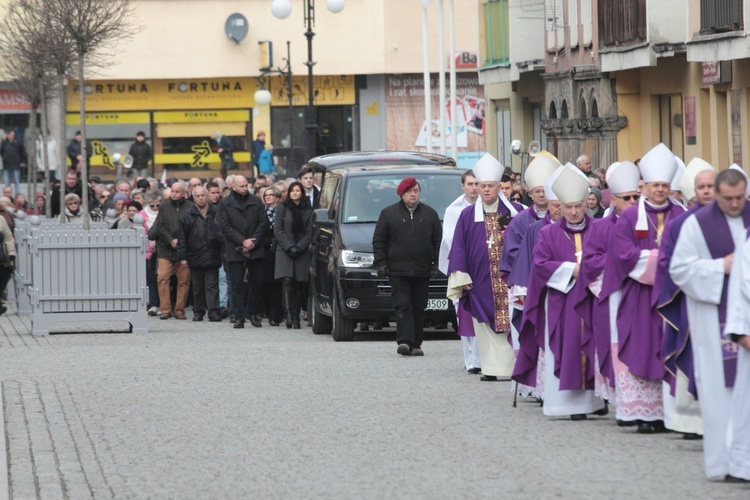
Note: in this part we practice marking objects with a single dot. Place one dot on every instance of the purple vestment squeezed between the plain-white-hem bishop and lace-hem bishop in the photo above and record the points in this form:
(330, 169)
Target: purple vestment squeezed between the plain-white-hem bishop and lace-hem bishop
(593, 311)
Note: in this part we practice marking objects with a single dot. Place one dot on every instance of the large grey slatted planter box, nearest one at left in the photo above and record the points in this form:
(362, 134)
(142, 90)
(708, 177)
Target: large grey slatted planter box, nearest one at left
(87, 276)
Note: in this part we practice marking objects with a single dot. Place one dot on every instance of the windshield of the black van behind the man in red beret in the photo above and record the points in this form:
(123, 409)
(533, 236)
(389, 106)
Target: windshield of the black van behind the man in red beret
(366, 196)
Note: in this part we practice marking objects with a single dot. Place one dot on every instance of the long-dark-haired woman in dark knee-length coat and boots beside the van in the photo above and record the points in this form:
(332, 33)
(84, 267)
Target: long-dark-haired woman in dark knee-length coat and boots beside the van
(293, 232)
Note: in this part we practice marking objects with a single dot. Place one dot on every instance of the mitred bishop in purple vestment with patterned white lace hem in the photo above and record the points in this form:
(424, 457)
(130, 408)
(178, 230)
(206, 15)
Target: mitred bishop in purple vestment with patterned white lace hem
(629, 274)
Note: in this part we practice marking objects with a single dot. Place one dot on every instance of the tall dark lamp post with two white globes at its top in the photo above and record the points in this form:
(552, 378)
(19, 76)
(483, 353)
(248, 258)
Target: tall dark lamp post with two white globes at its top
(281, 9)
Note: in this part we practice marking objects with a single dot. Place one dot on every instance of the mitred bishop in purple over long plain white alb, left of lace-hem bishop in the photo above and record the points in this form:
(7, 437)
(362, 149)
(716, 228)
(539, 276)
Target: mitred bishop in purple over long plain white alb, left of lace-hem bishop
(549, 315)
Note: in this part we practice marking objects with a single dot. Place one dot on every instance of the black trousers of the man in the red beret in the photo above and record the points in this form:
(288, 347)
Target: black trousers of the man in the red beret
(409, 296)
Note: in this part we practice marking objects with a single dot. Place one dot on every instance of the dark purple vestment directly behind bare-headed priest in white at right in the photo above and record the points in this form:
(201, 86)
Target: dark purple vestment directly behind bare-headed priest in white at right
(677, 350)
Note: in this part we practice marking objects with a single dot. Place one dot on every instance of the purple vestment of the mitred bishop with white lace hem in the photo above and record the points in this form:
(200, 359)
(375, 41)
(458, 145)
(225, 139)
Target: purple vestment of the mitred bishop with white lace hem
(639, 326)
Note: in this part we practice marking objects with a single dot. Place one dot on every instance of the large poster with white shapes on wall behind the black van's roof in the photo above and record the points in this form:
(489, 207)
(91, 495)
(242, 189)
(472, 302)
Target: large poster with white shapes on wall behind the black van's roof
(407, 128)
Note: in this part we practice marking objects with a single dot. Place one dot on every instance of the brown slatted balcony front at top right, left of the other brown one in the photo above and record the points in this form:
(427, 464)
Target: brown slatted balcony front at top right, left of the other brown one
(622, 22)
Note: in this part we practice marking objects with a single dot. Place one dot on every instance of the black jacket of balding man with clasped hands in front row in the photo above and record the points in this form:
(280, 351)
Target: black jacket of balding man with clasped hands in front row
(239, 218)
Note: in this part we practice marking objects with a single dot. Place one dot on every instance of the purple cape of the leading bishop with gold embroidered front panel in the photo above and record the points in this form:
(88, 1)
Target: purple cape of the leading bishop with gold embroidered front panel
(469, 254)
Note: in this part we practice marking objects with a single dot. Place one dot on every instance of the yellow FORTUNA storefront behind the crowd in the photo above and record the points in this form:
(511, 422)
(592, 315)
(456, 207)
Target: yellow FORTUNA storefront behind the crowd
(179, 116)
